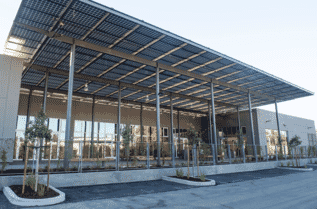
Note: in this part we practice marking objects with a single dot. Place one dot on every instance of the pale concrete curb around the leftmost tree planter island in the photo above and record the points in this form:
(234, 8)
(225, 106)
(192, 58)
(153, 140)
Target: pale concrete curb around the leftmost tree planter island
(15, 200)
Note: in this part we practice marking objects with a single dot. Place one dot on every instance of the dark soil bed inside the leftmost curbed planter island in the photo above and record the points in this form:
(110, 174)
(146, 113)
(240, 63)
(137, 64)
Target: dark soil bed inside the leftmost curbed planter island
(31, 194)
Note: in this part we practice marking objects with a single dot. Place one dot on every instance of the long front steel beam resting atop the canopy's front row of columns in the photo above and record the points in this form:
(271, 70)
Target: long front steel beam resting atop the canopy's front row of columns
(95, 47)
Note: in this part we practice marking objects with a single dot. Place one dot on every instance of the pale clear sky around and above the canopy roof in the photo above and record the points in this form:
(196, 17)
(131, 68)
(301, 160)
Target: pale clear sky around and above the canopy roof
(279, 37)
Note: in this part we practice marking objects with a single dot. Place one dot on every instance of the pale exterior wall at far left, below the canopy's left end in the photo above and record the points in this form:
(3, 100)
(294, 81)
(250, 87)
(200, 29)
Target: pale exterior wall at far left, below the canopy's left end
(10, 80)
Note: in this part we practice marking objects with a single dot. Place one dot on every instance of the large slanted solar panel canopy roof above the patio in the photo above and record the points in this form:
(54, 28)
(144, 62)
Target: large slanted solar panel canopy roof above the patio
(187, 69)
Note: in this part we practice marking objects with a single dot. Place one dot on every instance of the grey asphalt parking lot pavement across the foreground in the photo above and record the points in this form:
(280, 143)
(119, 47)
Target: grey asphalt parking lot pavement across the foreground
(274, 188)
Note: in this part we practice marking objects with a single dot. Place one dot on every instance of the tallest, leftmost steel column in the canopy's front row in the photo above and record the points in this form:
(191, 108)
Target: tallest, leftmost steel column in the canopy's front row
(68, 138)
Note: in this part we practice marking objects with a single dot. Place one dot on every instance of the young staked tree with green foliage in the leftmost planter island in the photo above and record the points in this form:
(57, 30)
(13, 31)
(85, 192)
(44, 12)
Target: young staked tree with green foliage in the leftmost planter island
(38, 130)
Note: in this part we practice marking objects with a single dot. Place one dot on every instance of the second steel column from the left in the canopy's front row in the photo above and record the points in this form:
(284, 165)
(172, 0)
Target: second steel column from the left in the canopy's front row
(158, 128)
